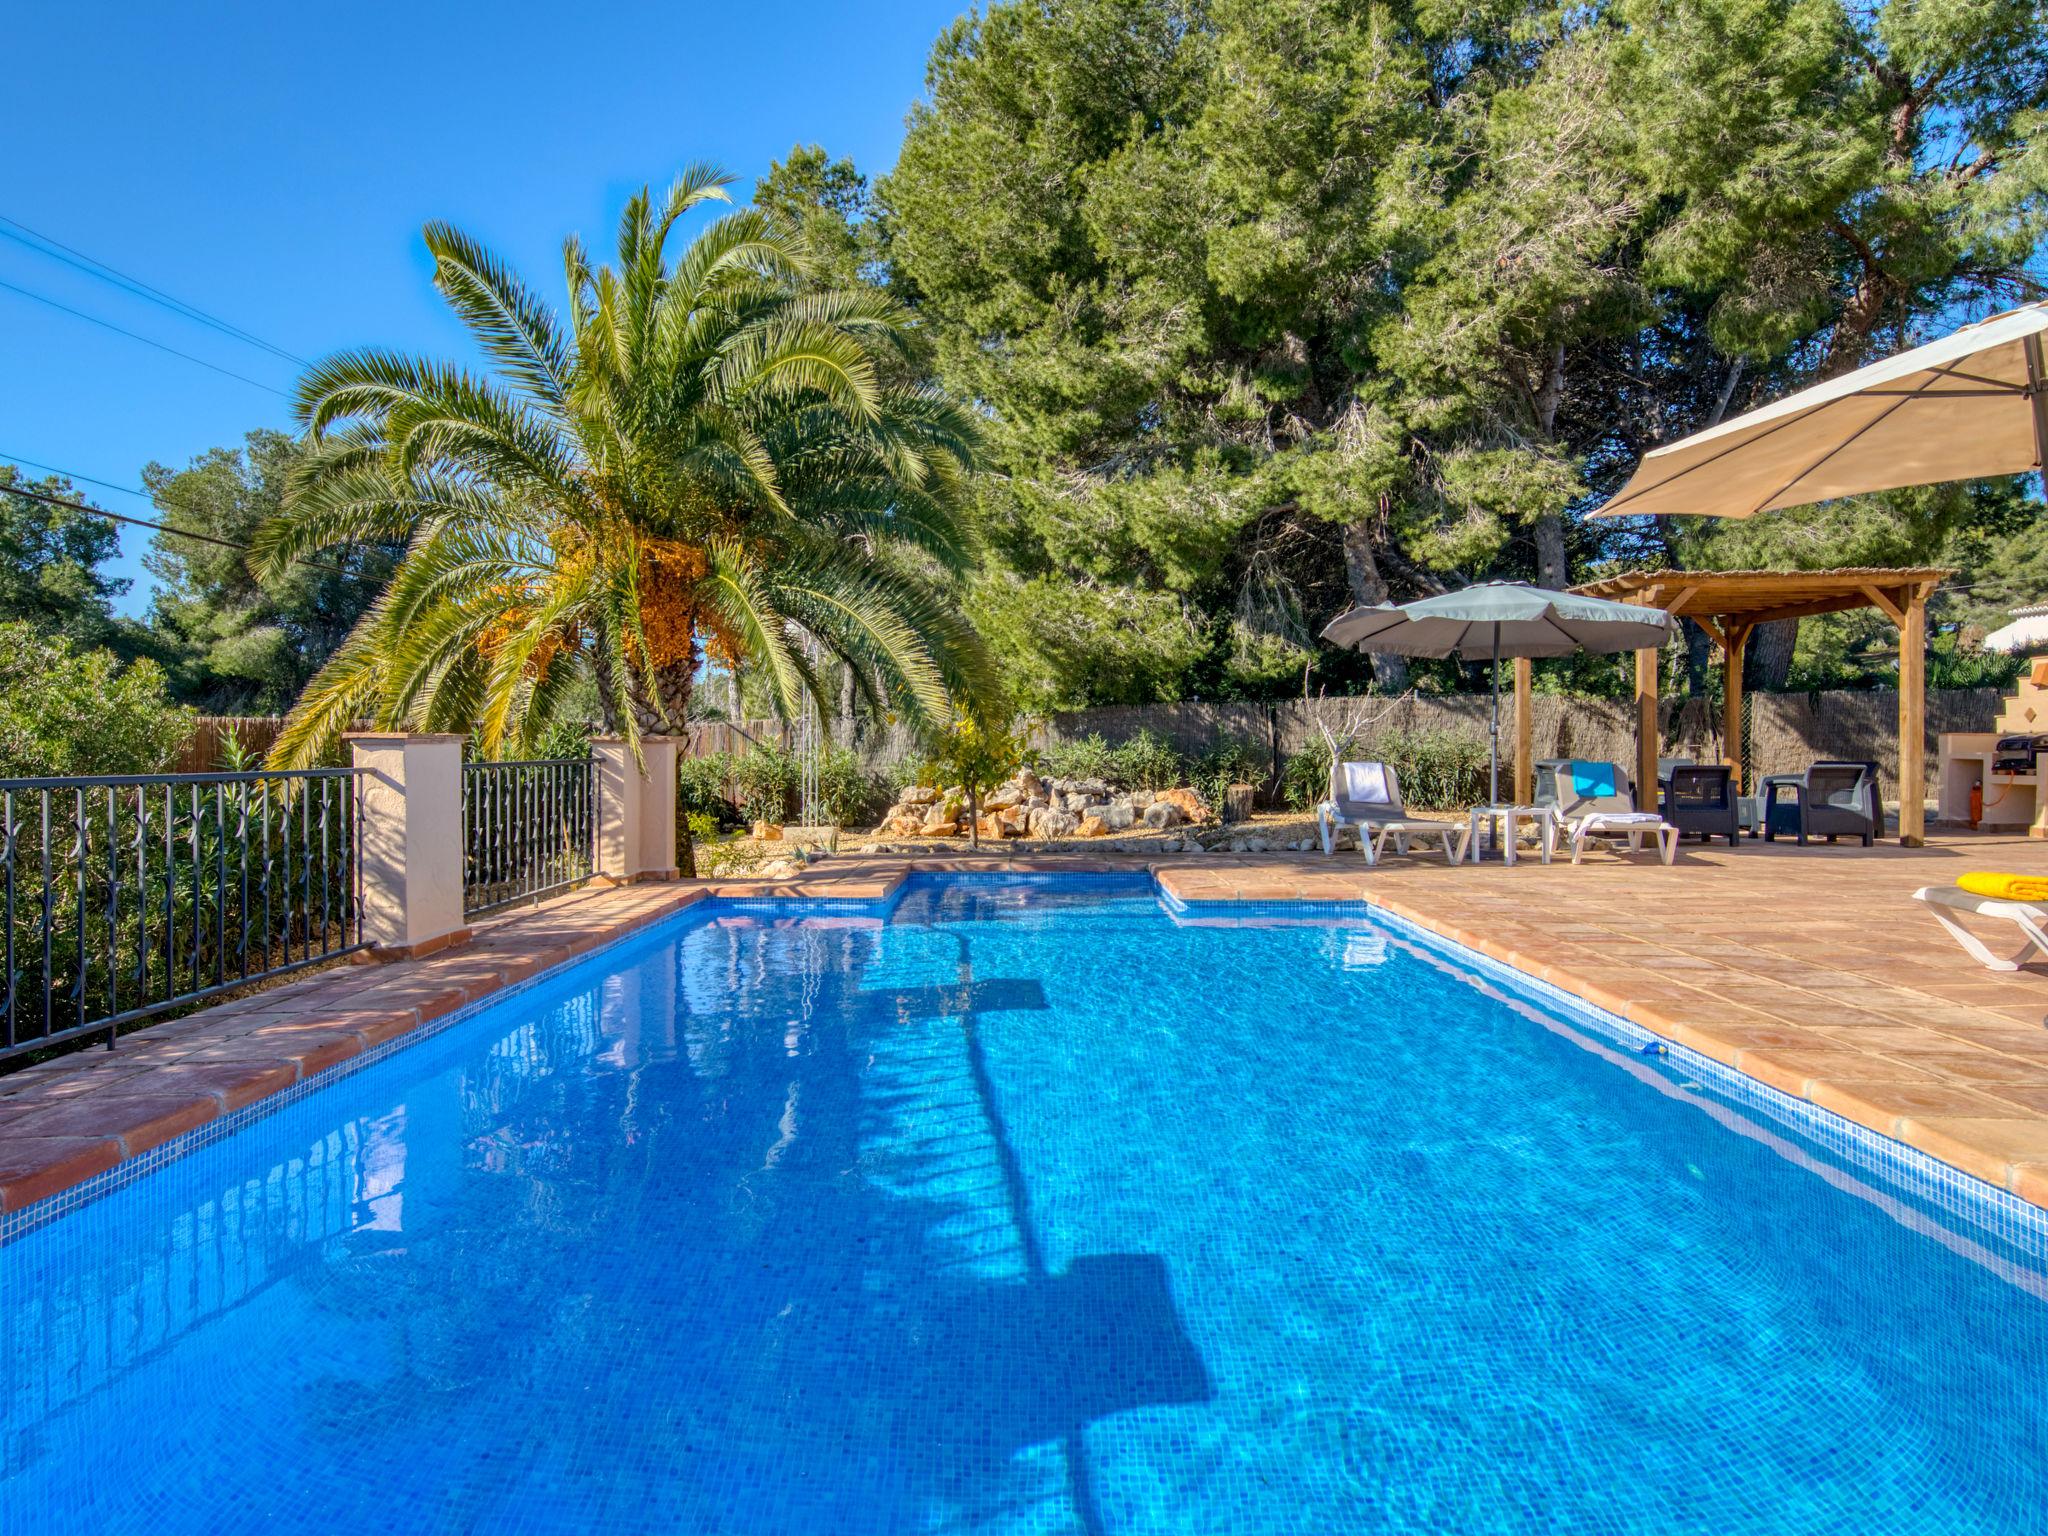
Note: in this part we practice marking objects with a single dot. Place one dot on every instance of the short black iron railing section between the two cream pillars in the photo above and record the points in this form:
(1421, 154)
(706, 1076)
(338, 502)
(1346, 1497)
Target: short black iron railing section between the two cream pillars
(529, 828)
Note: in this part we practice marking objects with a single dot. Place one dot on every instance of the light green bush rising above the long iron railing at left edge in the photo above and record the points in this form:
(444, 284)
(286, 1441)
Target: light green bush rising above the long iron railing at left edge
(69, 712)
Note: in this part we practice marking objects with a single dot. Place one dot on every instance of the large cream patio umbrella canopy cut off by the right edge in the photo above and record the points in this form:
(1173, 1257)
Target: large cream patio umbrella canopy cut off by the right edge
(1971, 404)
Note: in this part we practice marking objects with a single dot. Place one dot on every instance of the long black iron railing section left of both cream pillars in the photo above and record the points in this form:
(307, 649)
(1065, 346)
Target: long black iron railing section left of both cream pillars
(128, 896)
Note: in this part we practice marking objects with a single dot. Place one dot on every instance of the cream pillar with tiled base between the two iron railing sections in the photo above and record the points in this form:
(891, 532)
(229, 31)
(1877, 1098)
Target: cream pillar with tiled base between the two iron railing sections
(413, 841)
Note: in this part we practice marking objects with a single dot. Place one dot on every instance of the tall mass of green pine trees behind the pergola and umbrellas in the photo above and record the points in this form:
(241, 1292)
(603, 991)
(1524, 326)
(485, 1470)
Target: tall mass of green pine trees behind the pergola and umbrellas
(1279, 308)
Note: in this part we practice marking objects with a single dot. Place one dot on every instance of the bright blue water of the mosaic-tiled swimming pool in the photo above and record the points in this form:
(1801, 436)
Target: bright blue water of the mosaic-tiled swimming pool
(1029, 1207)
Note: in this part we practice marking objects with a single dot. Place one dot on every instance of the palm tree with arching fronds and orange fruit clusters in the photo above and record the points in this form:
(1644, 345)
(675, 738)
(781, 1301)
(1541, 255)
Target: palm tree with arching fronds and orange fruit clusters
(712, 460)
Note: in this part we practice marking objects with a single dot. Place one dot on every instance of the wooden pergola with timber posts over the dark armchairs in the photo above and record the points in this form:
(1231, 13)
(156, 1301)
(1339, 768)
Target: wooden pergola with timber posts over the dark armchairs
(1730, 607)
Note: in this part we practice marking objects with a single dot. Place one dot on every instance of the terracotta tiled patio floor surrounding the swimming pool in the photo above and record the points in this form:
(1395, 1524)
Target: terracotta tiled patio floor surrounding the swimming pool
(1807, 970)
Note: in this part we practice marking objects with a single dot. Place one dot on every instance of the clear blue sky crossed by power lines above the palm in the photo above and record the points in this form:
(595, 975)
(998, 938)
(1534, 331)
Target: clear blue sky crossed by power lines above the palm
(273, 165)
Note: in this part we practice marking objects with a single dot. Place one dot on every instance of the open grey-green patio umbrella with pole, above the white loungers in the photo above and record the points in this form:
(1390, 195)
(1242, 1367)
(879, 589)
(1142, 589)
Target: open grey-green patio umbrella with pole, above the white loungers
(1496, 620)
